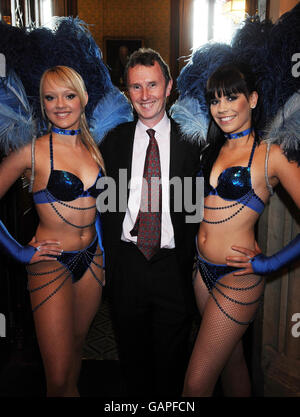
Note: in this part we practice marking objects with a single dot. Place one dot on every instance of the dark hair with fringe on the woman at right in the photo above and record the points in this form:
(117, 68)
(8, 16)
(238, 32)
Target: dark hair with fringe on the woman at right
(228, 79)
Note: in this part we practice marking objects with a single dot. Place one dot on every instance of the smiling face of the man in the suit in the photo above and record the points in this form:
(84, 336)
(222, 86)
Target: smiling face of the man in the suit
(148, 92)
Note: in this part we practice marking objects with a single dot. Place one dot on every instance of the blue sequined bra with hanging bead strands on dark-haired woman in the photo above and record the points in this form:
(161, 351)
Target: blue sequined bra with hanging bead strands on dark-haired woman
(234, 184)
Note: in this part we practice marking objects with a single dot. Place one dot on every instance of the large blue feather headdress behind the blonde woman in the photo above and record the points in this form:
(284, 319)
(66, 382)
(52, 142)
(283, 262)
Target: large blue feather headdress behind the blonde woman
(29, 53)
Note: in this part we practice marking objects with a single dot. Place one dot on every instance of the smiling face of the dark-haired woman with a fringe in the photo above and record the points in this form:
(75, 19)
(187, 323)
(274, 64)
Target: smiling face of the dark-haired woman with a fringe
(232, 113)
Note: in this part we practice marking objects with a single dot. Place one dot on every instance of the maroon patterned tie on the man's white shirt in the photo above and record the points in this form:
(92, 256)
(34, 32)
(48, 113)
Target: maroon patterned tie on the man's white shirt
(147, 227)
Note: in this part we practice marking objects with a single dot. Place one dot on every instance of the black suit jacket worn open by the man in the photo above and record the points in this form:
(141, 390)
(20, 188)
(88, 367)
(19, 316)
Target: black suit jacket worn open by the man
(116, 150)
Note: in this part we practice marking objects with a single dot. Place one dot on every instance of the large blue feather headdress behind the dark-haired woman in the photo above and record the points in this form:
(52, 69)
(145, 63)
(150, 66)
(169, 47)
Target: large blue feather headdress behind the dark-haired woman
(268, 49)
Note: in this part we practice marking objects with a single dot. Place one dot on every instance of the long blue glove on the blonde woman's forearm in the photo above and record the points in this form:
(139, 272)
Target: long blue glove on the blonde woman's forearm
(12, 248)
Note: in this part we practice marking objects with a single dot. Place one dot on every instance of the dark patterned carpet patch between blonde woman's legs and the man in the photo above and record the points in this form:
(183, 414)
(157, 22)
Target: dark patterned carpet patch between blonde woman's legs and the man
(100, 343)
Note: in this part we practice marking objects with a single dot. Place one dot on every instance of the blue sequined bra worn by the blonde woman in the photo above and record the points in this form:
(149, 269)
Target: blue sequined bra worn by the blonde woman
(64, 186)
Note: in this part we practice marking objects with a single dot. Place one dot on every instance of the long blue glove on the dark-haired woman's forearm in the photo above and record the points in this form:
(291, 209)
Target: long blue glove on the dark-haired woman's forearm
(264, 265)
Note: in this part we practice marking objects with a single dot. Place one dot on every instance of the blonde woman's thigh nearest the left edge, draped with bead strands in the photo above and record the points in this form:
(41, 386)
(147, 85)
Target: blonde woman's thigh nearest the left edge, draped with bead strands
(51, 294)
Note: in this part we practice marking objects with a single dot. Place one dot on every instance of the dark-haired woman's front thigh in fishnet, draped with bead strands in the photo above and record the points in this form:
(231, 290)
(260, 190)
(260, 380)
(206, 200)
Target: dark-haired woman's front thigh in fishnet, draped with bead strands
(233, 302)
